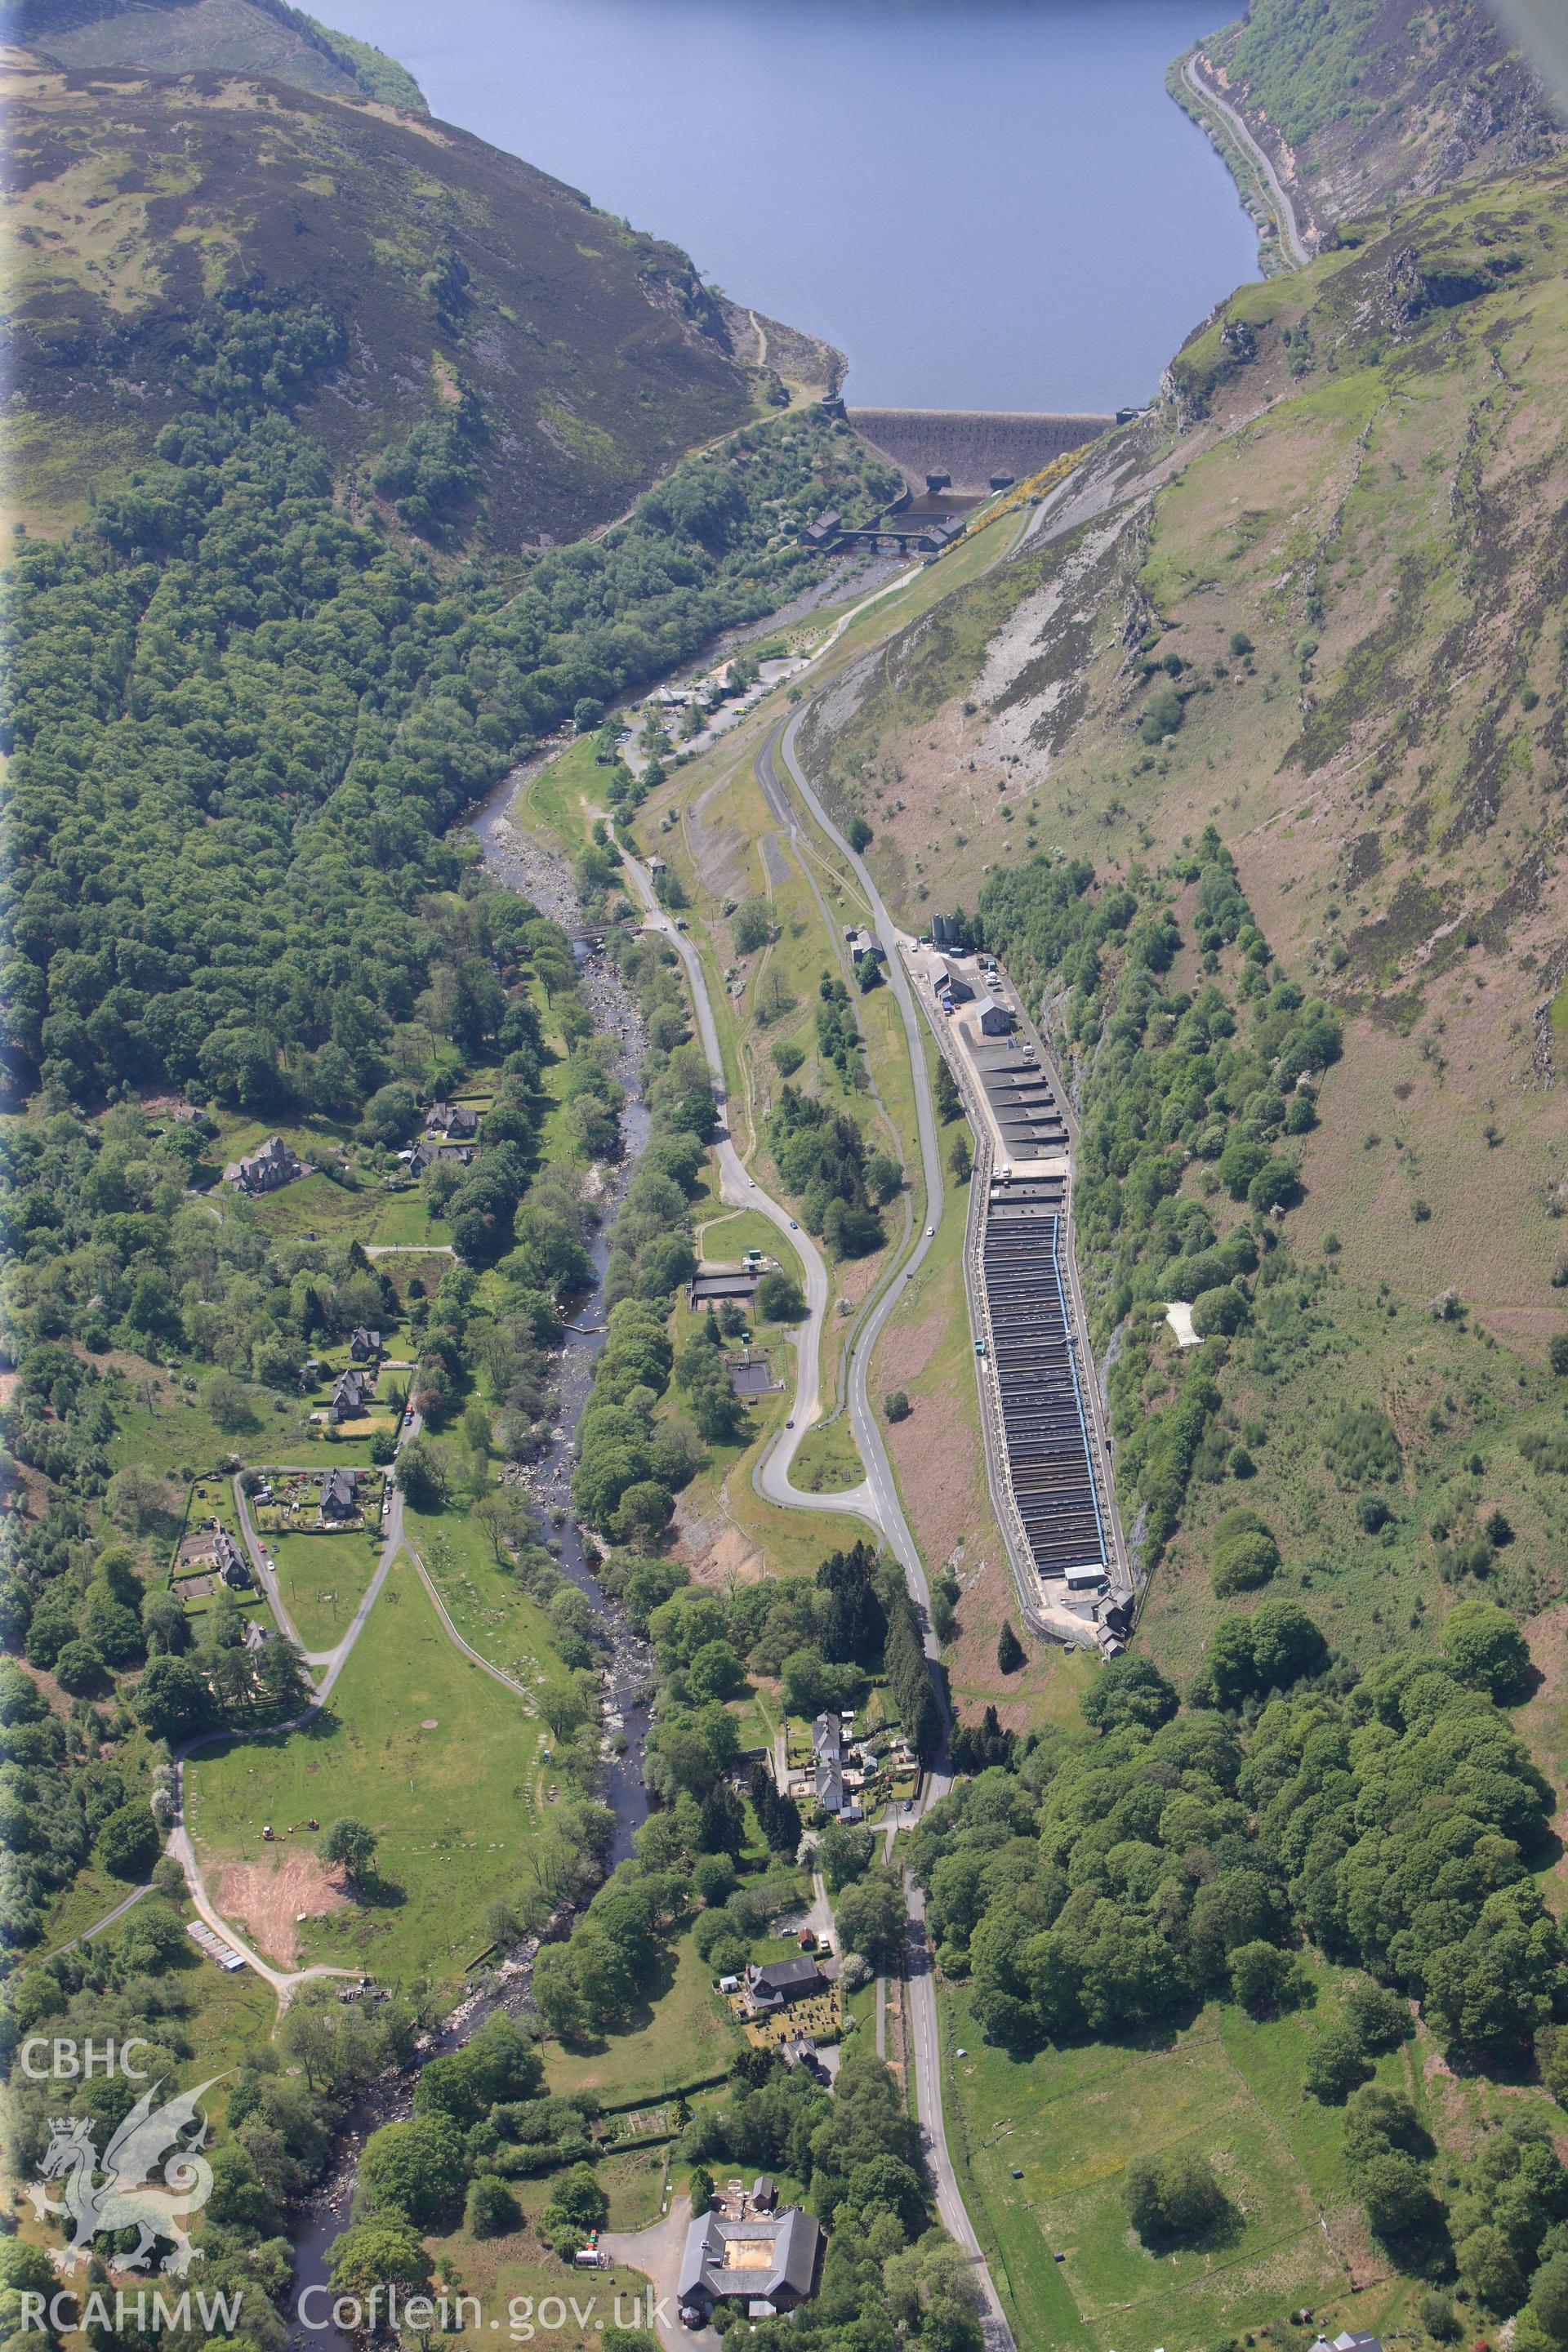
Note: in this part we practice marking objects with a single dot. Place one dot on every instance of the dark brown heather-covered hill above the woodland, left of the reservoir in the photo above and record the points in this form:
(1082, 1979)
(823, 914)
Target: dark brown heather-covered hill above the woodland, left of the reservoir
(401, 286)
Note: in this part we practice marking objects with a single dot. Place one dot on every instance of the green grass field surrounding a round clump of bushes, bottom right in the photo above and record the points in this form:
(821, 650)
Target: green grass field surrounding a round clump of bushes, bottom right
(1226, 2087)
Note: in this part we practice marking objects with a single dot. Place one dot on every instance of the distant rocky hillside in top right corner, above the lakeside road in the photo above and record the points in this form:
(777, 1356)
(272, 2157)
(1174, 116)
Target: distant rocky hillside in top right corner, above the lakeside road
(1367, 102)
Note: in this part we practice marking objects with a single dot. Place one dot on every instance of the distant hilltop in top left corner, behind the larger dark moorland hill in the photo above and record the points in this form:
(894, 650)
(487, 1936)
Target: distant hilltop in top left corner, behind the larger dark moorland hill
(229, 36)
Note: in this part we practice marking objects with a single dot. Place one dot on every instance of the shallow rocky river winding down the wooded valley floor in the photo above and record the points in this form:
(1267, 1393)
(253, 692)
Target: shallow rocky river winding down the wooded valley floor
(544, 878)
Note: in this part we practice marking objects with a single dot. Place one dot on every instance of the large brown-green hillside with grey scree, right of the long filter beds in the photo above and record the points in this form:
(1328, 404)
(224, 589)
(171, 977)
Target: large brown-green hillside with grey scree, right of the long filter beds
(1315, 603)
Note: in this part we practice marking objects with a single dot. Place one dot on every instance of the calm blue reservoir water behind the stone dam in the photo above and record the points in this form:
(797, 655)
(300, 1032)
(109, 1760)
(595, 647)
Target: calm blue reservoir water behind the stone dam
(986, 203)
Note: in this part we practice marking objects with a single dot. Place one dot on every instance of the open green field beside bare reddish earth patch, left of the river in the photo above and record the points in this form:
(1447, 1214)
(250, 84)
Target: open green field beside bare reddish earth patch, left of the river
(450, 1805)
